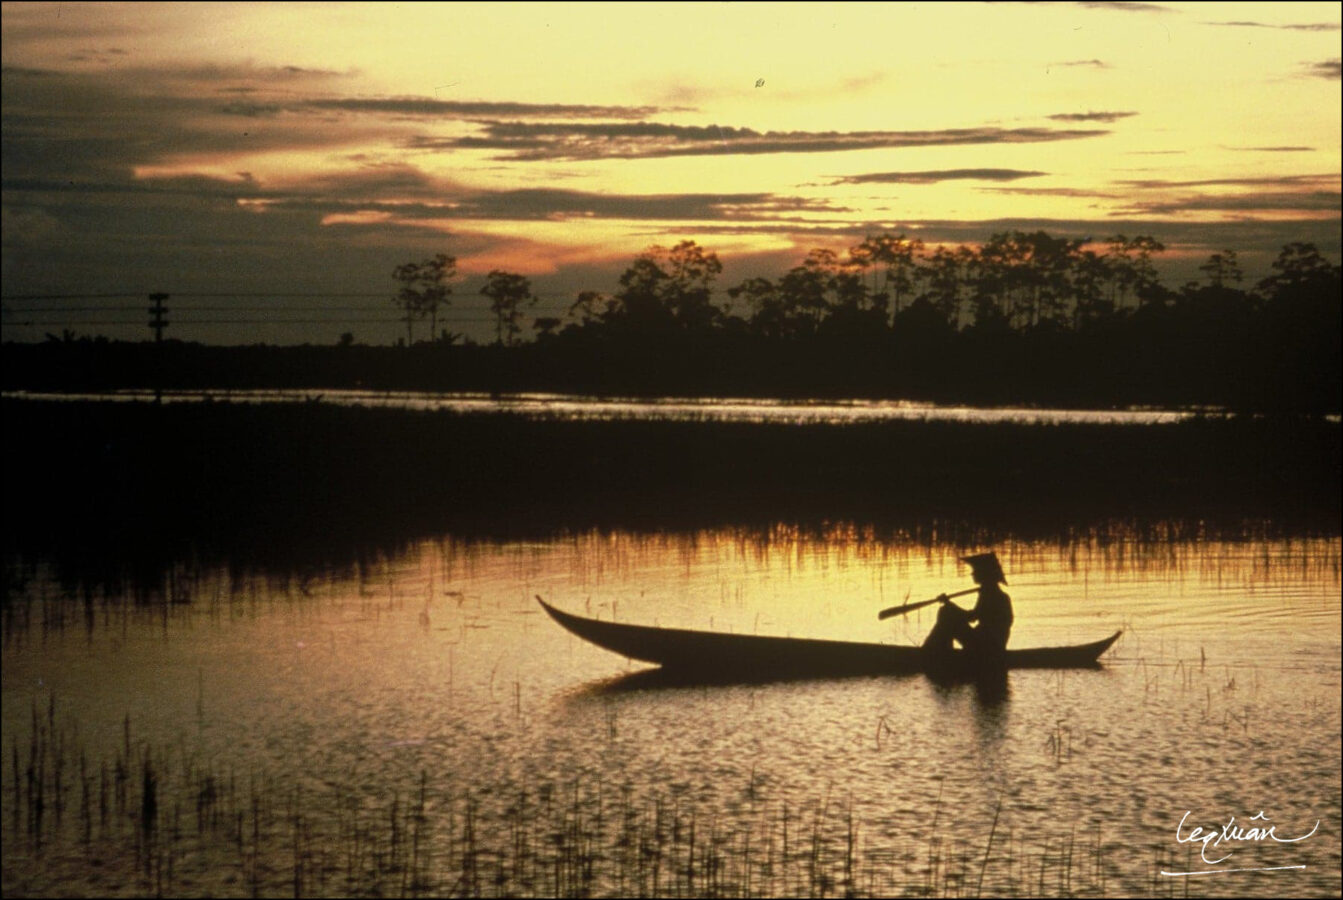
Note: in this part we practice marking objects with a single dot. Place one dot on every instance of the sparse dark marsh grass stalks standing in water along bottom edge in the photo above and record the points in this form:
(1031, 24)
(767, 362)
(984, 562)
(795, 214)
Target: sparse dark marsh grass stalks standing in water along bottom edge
(165, 821)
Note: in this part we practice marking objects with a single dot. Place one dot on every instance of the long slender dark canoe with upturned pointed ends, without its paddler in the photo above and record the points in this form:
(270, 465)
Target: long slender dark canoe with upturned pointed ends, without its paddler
(715, 652)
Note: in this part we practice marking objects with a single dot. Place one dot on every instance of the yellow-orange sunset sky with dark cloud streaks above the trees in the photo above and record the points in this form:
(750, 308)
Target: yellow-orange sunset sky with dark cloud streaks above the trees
(253, 151)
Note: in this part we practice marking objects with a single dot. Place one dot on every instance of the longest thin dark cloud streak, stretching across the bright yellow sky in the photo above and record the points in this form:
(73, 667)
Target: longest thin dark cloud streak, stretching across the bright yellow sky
(651, 140)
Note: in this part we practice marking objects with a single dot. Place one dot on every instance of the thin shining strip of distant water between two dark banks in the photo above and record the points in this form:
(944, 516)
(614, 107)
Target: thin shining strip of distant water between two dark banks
(590, 409)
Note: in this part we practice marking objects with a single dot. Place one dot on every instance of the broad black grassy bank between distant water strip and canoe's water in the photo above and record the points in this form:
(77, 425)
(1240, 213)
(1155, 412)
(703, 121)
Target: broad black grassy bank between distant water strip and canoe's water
(138, 486)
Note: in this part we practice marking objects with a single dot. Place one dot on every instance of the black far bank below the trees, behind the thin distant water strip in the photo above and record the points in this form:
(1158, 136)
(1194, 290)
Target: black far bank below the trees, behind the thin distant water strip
(1074, 371)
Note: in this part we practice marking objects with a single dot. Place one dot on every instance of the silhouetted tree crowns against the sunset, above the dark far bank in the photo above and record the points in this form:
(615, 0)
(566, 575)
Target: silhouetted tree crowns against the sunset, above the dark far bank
(1016, 281)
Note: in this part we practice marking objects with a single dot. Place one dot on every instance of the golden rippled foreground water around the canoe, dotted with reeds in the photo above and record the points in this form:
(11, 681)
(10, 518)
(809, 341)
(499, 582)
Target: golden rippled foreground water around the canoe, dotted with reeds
(417, 725)
